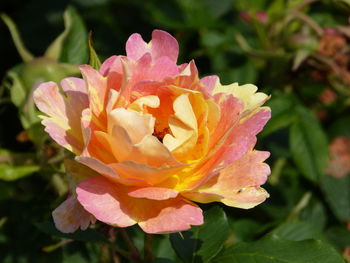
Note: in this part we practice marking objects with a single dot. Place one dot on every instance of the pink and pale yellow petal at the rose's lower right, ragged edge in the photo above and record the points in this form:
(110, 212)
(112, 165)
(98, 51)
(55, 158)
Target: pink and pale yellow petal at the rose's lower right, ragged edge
(238, 184)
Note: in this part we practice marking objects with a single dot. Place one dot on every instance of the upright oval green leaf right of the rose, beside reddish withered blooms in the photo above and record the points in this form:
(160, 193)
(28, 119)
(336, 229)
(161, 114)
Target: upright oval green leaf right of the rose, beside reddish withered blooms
(308, 145)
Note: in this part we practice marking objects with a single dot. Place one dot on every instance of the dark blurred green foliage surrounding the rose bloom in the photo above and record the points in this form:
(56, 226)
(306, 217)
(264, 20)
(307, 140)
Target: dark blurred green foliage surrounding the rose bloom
(296, 50)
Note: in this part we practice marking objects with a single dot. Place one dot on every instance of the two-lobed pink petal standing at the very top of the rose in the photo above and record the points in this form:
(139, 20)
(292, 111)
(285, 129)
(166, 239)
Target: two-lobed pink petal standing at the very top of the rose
(162, 44)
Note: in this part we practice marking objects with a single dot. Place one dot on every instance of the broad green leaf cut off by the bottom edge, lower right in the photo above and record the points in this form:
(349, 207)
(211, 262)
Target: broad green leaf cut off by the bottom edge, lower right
(276, 250)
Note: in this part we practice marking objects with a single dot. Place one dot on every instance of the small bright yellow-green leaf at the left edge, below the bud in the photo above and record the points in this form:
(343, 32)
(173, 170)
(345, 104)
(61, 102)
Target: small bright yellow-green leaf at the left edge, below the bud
(12, 173)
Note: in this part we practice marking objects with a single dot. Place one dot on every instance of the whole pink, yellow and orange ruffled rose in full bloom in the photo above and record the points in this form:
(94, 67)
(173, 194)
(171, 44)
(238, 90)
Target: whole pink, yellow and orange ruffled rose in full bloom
(151, 138)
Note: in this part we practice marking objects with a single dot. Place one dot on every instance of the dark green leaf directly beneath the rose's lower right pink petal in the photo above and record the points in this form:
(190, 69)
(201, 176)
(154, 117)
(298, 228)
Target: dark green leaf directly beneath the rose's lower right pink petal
(200, 244)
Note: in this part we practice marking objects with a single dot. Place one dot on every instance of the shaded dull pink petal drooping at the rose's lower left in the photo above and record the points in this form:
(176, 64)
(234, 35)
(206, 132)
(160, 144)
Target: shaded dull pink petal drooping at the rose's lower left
(70, 216)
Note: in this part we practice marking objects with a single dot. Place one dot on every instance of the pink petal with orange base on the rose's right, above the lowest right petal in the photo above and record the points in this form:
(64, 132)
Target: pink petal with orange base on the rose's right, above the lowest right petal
(233, 143)
